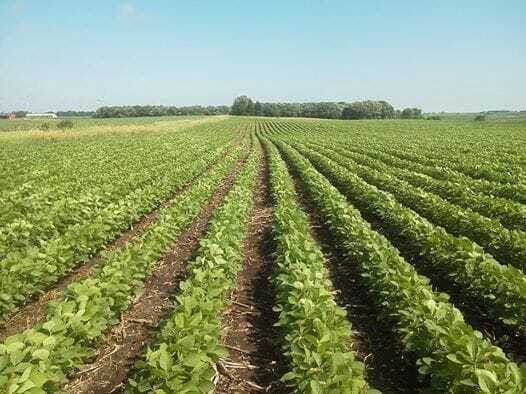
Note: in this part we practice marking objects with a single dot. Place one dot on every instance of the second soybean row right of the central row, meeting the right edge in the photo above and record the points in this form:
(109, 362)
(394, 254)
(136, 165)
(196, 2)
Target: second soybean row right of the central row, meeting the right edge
(455, 262)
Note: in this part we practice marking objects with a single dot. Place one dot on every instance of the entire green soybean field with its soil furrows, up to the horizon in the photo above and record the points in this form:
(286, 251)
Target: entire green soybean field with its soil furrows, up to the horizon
(243, 254)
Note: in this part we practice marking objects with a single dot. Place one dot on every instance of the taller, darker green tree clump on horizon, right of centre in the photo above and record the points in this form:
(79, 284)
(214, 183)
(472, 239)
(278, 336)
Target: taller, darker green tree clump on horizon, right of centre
(243, 105)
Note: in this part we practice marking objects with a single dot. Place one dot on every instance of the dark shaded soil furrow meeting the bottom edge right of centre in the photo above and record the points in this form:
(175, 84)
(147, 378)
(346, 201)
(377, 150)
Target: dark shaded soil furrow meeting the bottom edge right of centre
(375, 343)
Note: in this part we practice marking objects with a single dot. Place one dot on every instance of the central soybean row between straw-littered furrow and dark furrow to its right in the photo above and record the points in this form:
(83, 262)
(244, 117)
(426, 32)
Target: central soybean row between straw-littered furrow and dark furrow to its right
(317, 335)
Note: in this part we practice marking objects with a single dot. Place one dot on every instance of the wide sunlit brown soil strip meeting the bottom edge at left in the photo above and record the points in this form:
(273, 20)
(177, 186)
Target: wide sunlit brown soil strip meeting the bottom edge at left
(138, 325)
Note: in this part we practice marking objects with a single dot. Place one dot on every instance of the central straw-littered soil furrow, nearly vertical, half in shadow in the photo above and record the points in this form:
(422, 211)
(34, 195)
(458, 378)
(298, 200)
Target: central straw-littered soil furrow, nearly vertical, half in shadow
(256, 363)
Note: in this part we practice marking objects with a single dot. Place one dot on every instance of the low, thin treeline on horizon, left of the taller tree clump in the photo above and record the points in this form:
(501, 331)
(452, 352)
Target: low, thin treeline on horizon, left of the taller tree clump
(159, 110)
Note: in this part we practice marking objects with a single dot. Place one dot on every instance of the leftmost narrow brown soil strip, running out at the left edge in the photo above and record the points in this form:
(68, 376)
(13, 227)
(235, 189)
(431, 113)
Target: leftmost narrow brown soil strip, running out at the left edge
(32, 313)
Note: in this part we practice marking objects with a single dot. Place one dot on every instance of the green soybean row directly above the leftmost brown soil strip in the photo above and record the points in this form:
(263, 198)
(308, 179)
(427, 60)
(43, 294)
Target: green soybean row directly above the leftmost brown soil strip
(26, 273)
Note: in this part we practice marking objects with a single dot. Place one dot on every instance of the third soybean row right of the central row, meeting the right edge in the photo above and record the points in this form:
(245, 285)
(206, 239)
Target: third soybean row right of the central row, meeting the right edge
(508, 246)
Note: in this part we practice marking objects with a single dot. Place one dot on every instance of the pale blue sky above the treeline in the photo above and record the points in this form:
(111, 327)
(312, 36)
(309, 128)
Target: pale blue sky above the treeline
(437, 55)
